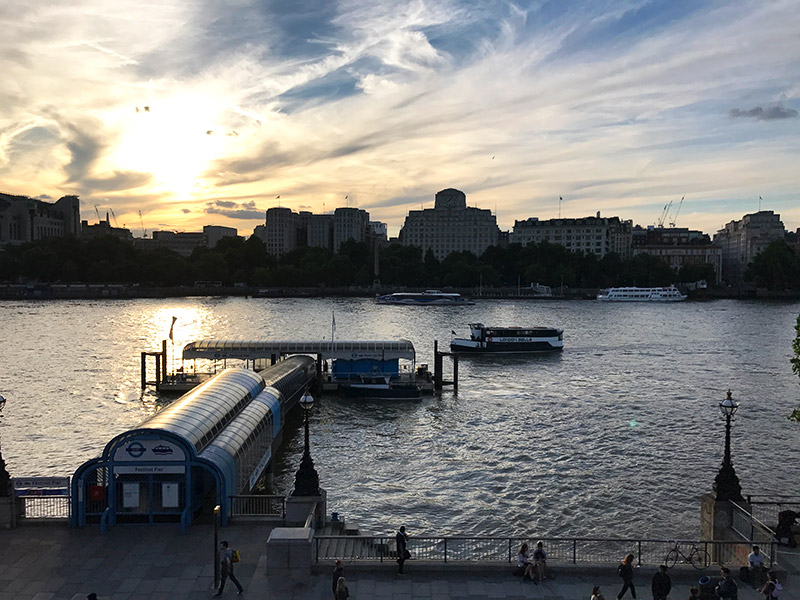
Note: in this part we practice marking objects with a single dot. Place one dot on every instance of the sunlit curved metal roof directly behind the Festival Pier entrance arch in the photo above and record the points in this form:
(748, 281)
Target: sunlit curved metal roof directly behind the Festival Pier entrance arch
(201, 414)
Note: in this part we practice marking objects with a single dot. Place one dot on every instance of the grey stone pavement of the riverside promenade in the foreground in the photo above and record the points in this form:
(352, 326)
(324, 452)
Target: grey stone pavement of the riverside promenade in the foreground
(139, 562)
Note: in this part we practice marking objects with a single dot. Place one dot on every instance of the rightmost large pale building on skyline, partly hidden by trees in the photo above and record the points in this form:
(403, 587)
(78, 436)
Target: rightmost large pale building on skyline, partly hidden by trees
(742, 240)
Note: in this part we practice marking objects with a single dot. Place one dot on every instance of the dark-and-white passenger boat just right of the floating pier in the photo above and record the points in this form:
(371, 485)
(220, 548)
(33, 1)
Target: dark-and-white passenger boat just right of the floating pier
(508, 340)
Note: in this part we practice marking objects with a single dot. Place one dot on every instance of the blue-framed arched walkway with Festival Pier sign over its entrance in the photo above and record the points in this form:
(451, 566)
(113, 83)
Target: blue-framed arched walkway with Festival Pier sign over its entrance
(212, 443)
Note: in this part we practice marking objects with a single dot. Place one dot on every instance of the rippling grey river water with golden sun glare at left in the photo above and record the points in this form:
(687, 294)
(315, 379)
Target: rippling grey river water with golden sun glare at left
(617, 435)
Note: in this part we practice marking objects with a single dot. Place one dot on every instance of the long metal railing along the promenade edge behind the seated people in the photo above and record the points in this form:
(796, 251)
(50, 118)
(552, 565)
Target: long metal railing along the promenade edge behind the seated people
(504, 550)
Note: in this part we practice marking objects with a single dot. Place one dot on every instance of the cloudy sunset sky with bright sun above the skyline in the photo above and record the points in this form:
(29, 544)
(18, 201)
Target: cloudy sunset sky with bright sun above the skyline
(178, 114)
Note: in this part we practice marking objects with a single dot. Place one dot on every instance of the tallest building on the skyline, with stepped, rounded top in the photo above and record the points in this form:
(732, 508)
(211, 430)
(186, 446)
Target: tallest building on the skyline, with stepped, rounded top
(450, 226)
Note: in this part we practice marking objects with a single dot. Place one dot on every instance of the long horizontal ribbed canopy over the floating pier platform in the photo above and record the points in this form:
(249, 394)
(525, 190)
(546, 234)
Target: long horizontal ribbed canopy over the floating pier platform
(345, 349)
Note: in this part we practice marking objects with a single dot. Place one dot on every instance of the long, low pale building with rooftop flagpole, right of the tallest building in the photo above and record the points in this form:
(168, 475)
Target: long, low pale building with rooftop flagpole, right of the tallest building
(590, 235)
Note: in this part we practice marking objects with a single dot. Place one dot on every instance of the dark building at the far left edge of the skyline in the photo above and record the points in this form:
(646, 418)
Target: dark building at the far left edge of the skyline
(24, 219)
